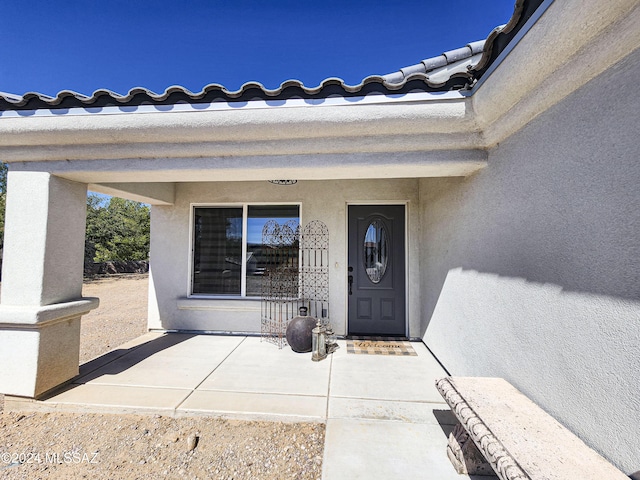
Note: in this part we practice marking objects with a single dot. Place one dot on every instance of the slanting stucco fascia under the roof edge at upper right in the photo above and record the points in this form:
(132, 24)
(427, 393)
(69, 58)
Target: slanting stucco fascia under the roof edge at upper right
(571, 42)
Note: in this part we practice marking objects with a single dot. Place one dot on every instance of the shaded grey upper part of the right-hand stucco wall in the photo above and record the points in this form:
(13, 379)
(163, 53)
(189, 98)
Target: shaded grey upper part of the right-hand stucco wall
(557, 203)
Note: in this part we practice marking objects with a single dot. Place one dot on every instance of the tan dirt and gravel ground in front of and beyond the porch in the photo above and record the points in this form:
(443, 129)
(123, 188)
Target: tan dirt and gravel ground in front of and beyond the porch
(75, 446)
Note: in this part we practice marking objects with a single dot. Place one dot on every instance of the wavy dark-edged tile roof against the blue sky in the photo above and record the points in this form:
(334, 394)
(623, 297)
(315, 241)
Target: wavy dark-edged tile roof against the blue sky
(453, 70)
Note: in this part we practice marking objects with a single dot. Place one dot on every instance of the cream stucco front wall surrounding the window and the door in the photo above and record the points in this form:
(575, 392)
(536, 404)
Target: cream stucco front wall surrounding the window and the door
(320, 200)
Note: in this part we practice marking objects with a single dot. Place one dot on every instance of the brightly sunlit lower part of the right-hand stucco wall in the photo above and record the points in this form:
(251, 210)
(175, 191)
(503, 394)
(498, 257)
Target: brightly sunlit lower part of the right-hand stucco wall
(573, 353)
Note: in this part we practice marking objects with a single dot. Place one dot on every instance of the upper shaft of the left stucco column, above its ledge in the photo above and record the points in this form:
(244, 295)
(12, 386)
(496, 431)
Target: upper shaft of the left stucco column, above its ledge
(44, 239)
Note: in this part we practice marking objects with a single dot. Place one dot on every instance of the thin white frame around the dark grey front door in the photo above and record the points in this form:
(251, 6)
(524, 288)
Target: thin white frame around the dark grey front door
(405, 204)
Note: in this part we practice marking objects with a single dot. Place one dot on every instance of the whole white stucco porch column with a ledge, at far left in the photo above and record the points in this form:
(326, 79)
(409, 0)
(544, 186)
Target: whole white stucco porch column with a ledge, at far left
(41, 302)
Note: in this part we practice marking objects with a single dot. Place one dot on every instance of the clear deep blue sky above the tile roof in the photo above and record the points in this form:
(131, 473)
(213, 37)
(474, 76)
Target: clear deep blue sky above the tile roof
(54, 45)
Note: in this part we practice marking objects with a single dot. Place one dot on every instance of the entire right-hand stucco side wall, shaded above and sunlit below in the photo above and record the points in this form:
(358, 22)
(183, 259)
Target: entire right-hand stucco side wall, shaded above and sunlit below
(531, 268)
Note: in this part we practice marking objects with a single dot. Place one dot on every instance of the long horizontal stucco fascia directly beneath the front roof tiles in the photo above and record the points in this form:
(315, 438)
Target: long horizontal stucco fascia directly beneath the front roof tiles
(434, 123)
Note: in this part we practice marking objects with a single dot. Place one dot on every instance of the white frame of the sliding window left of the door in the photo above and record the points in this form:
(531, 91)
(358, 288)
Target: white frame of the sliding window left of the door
(243, 279)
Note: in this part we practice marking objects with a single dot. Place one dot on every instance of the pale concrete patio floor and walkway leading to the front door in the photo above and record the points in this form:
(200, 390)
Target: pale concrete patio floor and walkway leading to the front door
(384, 417)
